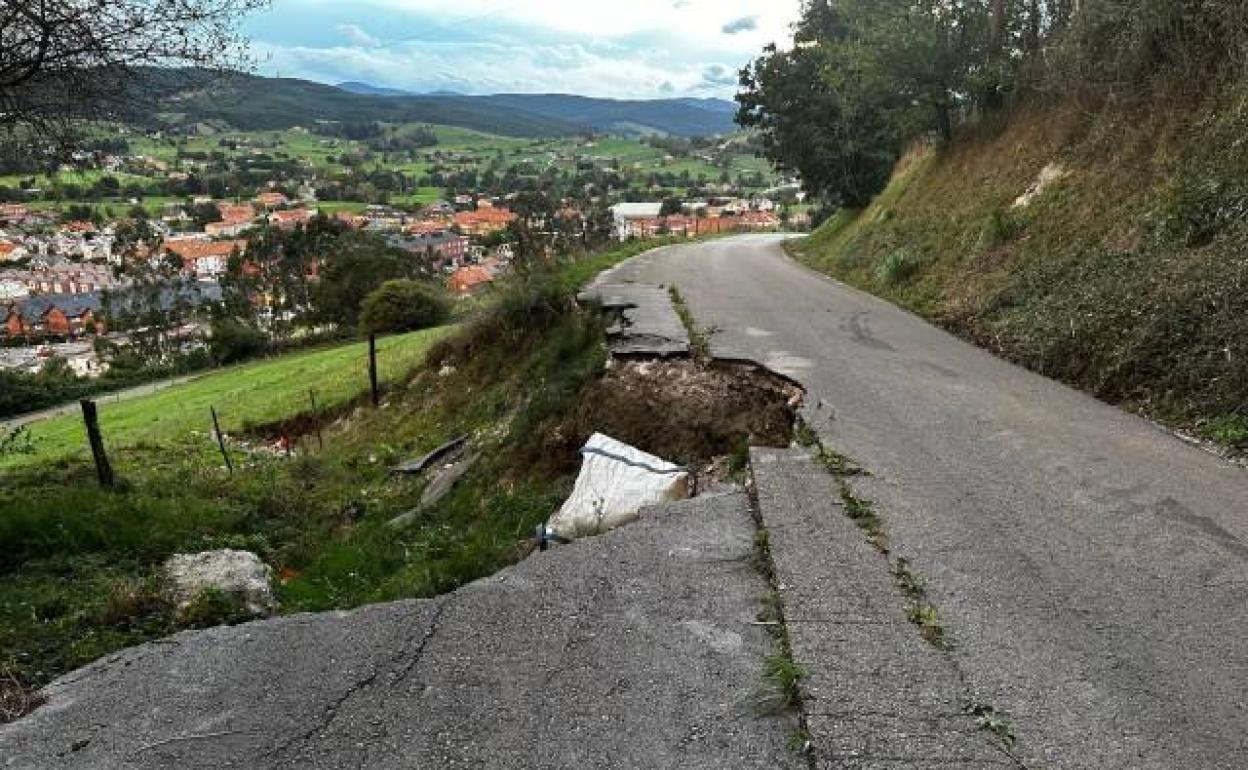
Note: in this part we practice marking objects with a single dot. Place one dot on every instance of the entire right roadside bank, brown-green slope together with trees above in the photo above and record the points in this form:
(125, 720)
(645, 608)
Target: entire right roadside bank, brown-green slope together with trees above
(1063, 183)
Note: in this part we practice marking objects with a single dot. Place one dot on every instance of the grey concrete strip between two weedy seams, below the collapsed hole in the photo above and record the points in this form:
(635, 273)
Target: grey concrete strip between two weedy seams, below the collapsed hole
(875, 693)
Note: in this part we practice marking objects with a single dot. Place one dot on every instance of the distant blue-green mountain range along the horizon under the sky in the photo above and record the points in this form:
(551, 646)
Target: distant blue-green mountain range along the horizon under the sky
(250, 103)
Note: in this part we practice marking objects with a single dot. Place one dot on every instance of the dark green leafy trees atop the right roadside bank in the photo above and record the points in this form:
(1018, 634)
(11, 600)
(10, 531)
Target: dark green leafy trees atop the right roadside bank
(863, 78)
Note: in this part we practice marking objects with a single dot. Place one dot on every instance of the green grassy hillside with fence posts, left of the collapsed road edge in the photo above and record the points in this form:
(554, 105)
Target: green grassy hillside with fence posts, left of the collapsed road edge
(79, 567)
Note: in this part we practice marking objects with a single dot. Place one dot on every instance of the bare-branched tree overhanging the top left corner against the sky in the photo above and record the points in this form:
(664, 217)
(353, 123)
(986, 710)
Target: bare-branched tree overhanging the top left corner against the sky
(63, 61)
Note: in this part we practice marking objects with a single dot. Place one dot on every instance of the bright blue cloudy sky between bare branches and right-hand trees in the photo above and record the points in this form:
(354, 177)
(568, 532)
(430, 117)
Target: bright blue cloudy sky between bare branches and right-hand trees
(628, 49)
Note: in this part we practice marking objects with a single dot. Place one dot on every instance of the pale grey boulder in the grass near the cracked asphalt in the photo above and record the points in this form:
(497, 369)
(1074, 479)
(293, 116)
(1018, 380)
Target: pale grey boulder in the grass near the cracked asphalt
(239, 575)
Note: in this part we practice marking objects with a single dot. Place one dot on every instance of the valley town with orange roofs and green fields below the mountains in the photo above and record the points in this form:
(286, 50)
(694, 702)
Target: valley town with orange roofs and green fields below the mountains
(153, 233)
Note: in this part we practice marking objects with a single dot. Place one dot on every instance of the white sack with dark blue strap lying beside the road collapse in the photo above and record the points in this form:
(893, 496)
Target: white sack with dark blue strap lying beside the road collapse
(616, 484)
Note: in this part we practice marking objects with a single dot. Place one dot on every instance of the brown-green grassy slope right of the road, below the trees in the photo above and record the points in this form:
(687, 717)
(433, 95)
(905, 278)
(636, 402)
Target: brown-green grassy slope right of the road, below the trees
(1126, 278)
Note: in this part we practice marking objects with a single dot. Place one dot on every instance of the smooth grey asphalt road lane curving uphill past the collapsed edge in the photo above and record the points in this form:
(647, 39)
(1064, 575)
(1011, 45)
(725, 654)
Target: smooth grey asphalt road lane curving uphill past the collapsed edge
(1091, 570)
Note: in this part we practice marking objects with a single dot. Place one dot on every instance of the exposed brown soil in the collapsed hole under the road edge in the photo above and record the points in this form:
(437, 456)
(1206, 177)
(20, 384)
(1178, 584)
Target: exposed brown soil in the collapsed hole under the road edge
(685, 411)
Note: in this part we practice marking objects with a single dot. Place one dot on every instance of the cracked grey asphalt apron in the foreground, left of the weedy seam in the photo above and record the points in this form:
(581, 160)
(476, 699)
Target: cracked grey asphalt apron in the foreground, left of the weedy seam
(636, 650)
